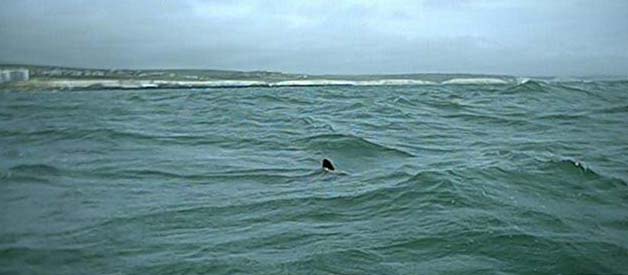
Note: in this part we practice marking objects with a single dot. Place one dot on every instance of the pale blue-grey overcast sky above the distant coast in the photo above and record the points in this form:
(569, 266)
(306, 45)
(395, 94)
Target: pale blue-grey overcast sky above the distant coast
(528, 37)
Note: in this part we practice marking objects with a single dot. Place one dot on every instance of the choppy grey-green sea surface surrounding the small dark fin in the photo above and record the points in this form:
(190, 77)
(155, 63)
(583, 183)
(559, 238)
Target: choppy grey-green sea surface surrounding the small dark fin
(526, 178)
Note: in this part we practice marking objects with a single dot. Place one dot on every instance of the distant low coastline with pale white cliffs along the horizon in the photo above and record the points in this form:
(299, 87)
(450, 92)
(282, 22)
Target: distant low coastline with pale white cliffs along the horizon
(66, 78)
